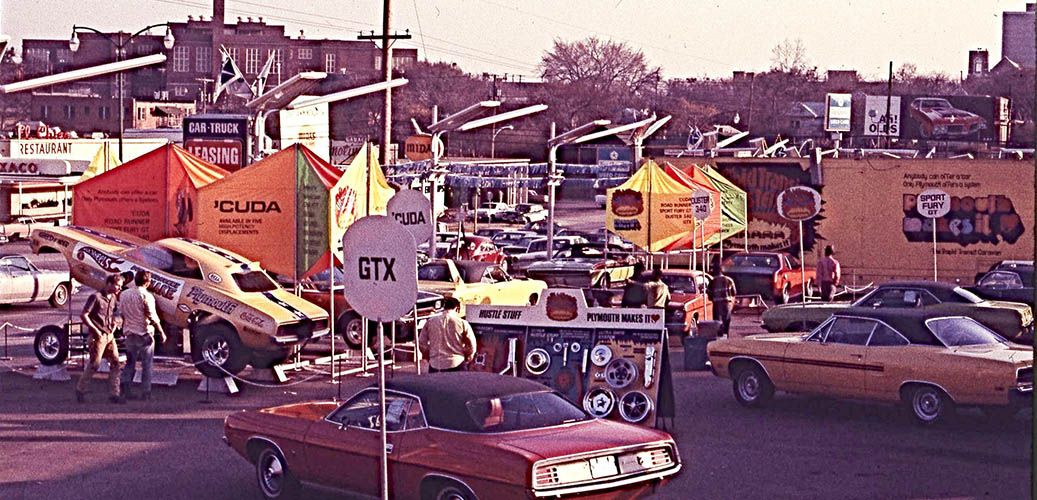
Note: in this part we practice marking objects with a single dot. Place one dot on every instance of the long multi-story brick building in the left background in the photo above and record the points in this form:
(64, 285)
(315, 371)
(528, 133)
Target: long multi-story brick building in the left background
(188, 74)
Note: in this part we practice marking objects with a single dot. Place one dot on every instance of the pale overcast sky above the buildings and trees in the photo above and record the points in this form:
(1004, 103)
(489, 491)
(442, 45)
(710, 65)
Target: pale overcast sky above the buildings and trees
(686, 38)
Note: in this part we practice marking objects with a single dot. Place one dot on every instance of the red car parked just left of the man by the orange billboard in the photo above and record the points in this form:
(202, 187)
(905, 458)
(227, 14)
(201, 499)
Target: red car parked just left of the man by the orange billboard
(774, 275)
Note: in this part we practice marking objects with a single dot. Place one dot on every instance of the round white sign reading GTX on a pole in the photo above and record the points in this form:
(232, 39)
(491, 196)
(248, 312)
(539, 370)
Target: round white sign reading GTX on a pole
(380, 265)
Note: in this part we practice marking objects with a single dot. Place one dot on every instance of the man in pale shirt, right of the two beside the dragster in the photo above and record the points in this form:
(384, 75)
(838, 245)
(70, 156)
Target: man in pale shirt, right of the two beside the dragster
(141, 323)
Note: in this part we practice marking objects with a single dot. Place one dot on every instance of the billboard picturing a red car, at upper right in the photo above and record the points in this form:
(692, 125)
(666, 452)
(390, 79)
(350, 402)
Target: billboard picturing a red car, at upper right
(948, 118)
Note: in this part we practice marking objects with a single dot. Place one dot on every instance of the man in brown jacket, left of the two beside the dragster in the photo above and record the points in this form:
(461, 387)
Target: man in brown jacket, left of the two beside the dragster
(99, 316)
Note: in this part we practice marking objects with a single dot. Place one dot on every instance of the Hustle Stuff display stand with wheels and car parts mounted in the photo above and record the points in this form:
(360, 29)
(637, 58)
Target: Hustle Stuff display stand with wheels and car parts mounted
(612, 362)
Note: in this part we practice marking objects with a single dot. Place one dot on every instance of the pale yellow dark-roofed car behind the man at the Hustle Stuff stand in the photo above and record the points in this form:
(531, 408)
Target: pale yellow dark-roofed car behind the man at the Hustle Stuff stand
(475, 283)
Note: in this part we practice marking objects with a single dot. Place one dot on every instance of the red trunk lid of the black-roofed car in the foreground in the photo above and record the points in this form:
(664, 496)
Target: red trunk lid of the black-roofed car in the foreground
(581, 438)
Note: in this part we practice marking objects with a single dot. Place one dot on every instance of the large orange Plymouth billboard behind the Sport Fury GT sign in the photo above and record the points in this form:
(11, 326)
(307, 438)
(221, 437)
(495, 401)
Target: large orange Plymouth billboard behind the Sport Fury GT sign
(872, 216)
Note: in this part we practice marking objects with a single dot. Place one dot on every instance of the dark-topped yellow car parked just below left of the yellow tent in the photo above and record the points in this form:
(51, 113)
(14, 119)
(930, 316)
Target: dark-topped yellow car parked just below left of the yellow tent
(583, 266)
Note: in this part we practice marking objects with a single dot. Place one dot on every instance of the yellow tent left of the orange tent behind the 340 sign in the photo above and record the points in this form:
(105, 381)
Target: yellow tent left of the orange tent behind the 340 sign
(652, 209)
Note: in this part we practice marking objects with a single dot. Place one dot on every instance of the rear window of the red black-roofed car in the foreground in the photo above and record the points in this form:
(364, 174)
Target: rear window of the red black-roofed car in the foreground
(518, 412)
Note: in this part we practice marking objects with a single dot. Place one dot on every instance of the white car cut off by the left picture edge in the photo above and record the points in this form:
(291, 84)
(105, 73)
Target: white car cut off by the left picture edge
(22, 282)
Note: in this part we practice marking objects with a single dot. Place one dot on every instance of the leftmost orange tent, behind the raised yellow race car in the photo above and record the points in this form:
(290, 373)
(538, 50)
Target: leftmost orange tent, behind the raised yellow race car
(153, 197)
